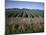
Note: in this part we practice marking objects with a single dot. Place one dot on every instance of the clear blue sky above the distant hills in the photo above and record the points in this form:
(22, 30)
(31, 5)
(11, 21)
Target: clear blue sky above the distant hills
(22, 4)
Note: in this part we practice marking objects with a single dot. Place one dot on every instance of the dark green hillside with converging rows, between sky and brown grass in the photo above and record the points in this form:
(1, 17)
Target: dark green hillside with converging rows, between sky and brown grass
(24, 12)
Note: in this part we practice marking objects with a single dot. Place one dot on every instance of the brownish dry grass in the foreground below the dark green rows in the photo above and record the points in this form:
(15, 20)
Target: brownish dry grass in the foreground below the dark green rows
(23, 24)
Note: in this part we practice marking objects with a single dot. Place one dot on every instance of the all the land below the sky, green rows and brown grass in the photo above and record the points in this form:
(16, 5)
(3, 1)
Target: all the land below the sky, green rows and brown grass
(24, 20)
